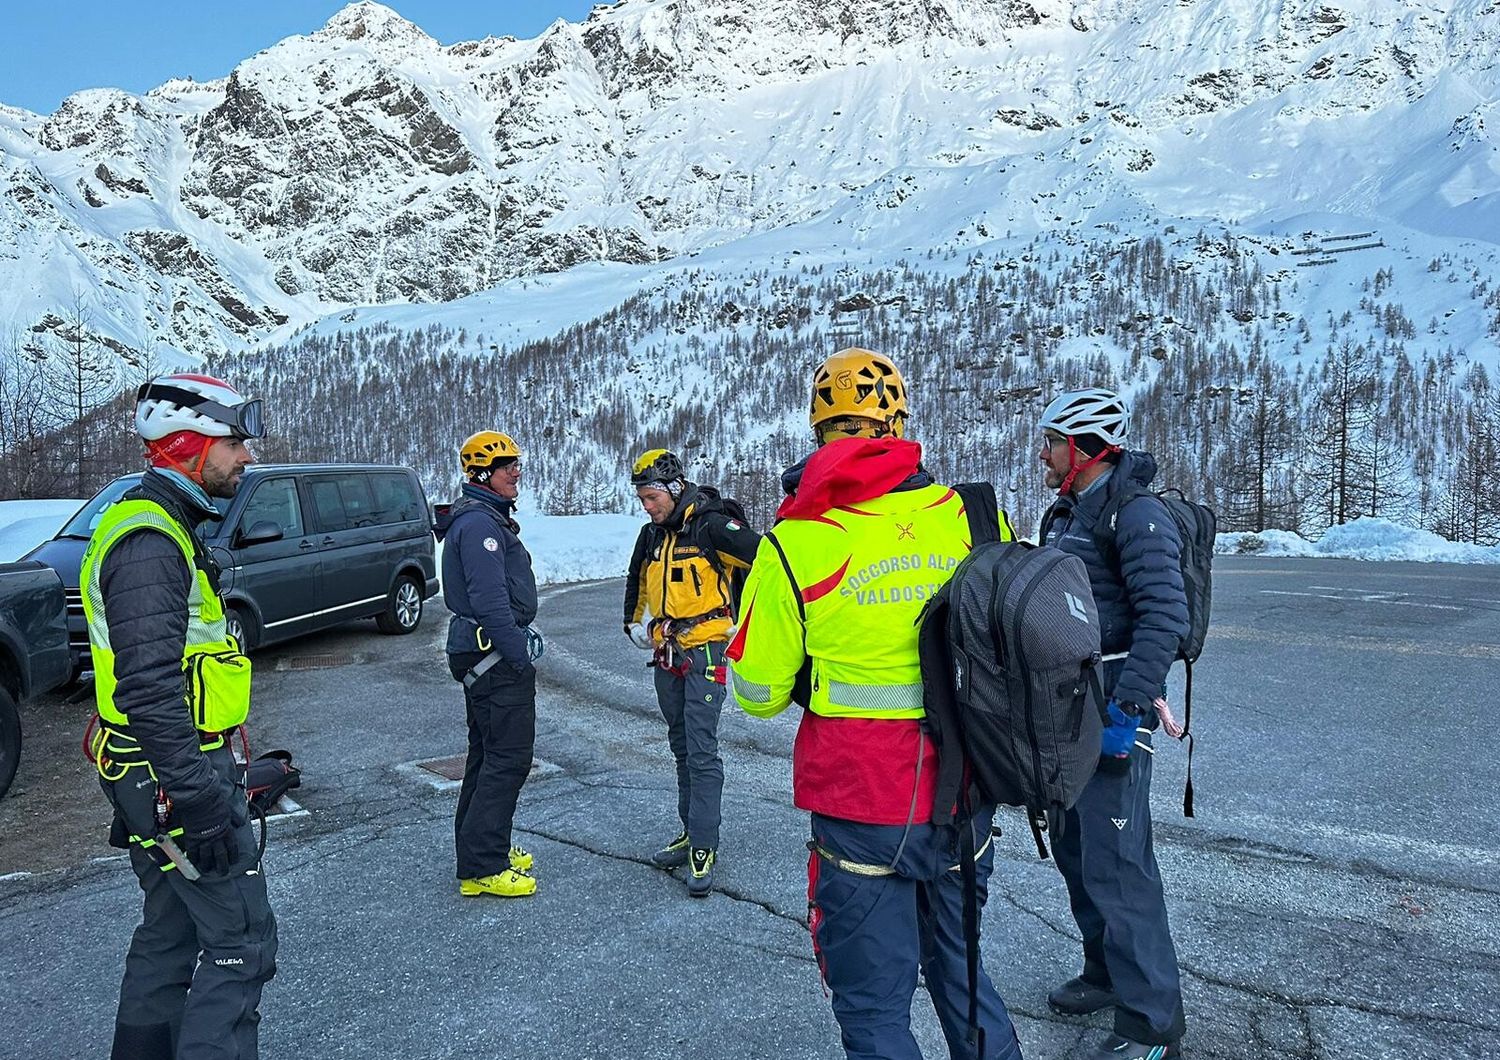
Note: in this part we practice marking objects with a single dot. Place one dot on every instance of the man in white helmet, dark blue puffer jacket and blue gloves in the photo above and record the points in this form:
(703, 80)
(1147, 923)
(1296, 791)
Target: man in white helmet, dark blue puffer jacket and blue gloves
(1105, 849)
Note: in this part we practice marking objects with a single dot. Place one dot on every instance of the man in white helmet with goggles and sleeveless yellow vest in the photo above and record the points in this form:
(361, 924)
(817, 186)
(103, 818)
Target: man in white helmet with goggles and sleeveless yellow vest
(172, 687)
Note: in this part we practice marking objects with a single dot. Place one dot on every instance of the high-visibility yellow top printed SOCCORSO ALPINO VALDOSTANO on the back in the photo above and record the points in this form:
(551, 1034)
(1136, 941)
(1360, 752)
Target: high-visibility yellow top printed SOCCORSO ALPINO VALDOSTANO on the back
(863, 573)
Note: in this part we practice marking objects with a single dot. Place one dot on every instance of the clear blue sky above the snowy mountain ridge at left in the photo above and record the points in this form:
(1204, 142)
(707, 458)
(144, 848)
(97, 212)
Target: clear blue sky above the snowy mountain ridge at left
(50, 49)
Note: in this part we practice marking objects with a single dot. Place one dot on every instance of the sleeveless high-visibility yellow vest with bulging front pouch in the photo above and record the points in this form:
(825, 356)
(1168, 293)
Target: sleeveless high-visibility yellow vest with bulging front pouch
(217, 687)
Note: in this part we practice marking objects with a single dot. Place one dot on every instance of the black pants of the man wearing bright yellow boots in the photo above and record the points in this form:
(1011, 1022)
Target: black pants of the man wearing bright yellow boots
(502, 711)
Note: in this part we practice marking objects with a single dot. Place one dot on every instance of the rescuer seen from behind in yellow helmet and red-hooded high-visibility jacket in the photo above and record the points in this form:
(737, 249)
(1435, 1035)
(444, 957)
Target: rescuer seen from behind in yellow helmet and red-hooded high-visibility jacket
(830, 620)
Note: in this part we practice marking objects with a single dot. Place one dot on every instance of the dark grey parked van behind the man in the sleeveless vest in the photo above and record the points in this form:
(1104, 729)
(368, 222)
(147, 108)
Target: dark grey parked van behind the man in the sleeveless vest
(304, 546)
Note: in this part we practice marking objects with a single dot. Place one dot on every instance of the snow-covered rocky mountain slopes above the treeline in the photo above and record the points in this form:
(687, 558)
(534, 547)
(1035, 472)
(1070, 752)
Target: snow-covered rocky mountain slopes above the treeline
(368, 164)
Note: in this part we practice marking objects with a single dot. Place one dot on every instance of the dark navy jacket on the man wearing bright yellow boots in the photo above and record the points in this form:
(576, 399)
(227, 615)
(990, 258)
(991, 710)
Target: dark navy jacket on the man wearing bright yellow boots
(487, 573)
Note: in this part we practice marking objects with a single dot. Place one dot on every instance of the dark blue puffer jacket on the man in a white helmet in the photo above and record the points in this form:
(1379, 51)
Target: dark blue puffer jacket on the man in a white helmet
(1142, 605)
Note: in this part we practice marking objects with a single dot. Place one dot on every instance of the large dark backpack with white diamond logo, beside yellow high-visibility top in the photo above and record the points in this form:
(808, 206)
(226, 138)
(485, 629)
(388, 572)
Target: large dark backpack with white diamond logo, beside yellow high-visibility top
(1010, 650)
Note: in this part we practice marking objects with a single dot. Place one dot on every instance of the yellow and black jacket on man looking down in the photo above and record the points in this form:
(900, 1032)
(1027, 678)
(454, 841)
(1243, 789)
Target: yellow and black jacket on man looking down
(686, 569)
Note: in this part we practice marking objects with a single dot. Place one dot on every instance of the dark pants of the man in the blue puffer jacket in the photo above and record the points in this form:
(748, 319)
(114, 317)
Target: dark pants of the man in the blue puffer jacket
(1106, 857)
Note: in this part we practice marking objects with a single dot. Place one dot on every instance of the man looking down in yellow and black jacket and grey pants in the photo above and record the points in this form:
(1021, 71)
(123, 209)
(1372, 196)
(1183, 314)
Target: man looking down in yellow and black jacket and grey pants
(685, 575)
